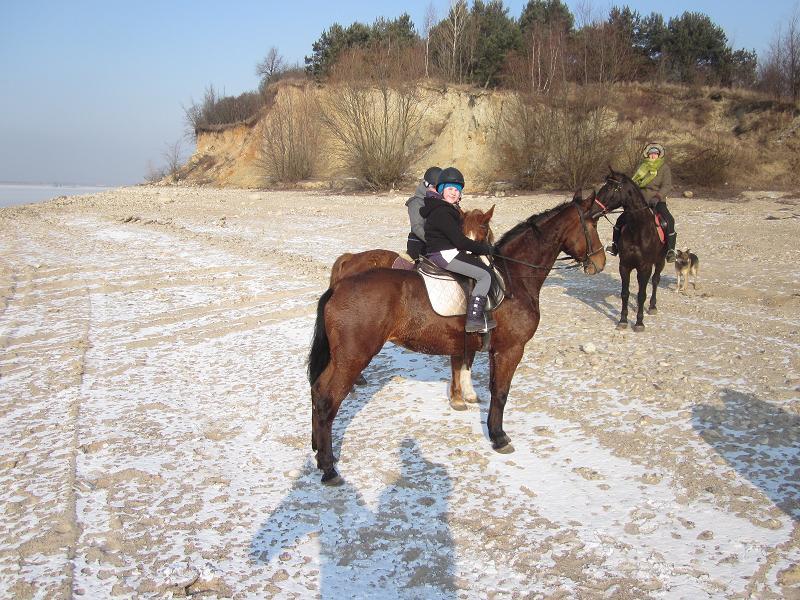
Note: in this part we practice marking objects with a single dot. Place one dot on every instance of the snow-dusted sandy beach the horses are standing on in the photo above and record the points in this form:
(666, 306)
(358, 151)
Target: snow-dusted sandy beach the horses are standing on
(156, 414)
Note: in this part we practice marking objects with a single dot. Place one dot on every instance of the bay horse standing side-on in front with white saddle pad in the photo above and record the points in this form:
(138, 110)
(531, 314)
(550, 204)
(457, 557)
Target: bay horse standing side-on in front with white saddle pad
(360, 314)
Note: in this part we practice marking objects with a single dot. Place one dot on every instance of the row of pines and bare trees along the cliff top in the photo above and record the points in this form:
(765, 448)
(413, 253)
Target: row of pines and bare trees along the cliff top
(540, 51)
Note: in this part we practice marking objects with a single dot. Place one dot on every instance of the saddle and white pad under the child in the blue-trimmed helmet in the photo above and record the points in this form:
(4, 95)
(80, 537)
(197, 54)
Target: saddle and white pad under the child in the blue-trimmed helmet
(448, 291)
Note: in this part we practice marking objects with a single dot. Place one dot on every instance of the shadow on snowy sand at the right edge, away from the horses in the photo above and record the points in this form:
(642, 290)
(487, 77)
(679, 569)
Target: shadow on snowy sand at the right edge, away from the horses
(758, 440)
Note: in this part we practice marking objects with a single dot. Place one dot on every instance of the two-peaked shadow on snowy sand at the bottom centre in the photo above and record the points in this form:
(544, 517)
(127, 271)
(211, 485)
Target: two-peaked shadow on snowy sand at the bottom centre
(402, 549)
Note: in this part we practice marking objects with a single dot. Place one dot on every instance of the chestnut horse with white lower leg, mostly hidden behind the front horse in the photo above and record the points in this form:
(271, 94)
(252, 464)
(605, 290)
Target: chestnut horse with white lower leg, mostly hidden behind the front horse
(476, 226)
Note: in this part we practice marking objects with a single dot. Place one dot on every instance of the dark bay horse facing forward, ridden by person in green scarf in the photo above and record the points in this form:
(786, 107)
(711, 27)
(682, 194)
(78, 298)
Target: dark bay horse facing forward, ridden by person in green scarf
(639, 246)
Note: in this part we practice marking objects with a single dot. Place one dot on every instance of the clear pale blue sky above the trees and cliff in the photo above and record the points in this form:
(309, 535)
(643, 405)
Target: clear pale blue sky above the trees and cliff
(93, 92)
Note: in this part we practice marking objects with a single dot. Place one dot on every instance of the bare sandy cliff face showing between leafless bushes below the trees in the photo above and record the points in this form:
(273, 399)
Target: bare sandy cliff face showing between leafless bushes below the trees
(458, 128)
